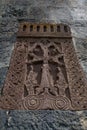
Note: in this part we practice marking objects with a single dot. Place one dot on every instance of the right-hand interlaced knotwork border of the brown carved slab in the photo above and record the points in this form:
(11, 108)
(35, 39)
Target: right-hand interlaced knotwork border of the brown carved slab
(76, 77)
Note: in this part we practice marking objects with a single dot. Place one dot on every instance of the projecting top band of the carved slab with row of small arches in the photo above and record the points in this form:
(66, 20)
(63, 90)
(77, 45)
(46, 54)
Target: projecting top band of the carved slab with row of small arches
(43, 30)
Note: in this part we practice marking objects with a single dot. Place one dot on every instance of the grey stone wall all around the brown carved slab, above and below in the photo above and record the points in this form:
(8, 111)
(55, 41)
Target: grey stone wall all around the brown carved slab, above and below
(71, 12)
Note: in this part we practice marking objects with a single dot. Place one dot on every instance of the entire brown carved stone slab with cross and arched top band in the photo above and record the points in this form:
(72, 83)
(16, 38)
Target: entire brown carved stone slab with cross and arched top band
(44, 71)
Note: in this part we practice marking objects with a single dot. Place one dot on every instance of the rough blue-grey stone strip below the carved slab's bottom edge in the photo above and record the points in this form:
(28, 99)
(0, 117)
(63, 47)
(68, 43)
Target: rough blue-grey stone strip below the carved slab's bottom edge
(43, 120)
